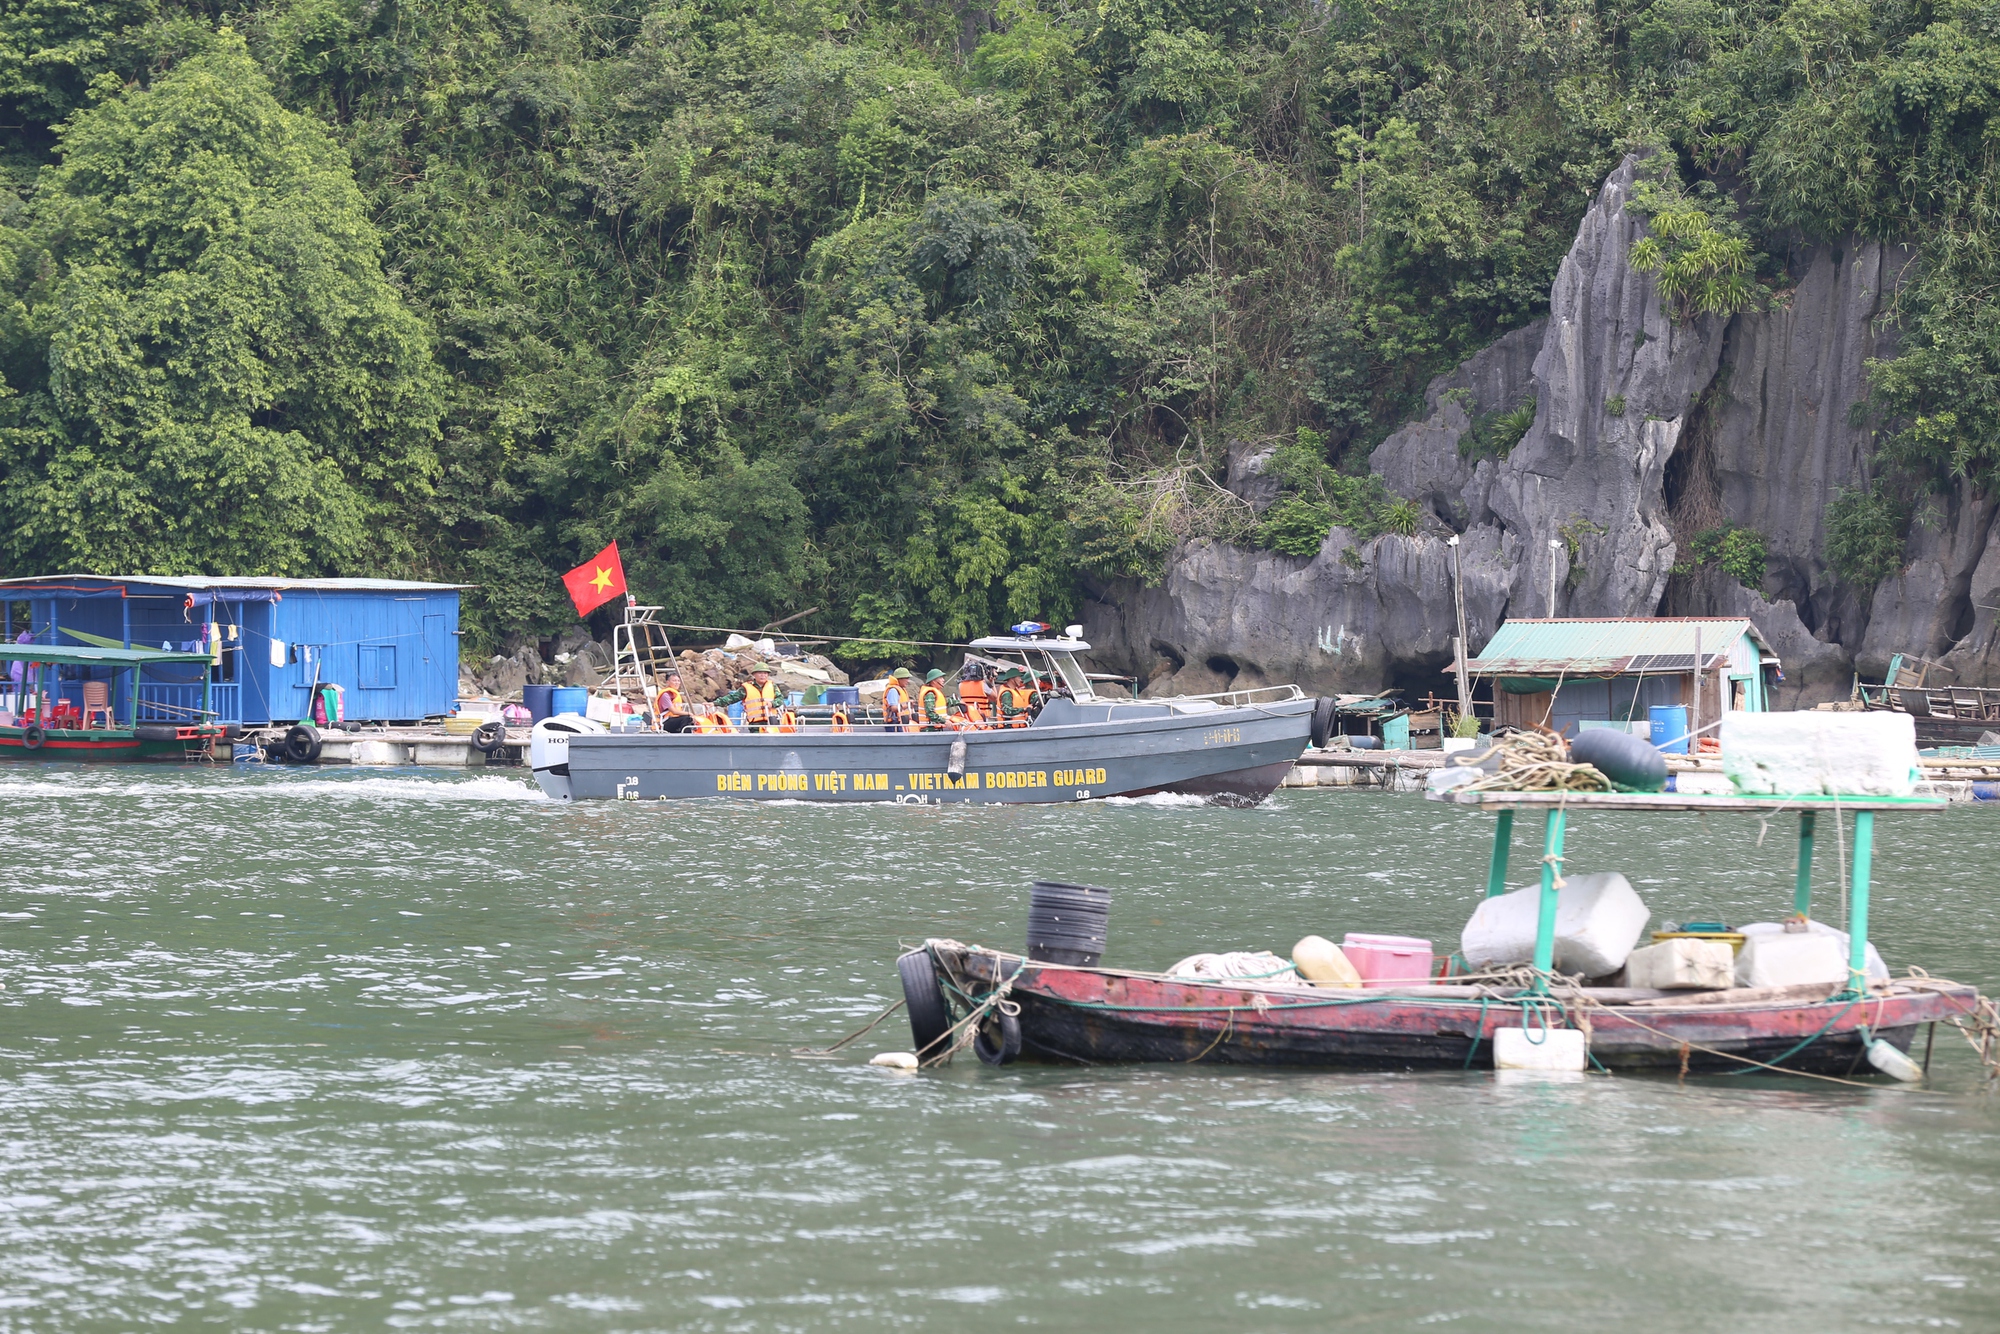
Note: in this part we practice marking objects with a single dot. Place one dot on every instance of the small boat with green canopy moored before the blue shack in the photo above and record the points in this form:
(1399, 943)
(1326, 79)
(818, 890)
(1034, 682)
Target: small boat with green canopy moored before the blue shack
(95, 705)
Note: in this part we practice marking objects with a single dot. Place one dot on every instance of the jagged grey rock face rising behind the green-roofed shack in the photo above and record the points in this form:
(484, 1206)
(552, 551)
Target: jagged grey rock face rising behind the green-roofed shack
(1647, 431)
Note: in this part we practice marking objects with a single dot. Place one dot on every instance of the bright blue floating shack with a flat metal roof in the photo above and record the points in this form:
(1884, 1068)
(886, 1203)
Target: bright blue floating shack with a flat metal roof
(389, 645)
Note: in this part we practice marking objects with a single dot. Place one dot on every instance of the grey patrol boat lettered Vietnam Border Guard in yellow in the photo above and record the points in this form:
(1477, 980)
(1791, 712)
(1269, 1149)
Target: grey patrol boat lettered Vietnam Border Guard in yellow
(1233, 747)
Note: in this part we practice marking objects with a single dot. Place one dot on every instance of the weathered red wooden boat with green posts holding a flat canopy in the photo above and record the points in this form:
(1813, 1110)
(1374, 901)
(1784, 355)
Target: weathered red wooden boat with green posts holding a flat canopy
(1007, 1005)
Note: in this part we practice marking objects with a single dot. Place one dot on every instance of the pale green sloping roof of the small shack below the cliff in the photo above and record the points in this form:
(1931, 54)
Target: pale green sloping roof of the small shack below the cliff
(1615, 647)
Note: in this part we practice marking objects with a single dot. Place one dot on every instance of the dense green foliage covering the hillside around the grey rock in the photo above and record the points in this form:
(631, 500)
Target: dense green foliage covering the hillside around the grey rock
(921, 315)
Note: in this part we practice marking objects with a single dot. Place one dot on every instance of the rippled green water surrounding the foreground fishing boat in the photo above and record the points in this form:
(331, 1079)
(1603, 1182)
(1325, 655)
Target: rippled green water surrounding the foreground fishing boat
(341, 1051)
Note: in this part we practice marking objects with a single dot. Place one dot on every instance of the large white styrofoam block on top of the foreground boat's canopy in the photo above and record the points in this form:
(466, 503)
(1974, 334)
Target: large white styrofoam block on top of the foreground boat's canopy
(1821, 753)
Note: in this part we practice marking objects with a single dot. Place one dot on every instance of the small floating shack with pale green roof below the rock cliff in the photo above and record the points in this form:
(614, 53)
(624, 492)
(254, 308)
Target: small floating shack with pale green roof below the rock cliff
(1571, 673)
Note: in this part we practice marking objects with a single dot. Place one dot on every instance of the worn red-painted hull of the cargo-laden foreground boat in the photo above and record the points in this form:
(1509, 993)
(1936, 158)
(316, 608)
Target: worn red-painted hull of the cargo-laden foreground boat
(1103, 1015)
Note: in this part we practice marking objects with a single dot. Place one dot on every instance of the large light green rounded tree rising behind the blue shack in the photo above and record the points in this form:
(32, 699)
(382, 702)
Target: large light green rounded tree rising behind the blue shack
(207, 365)
